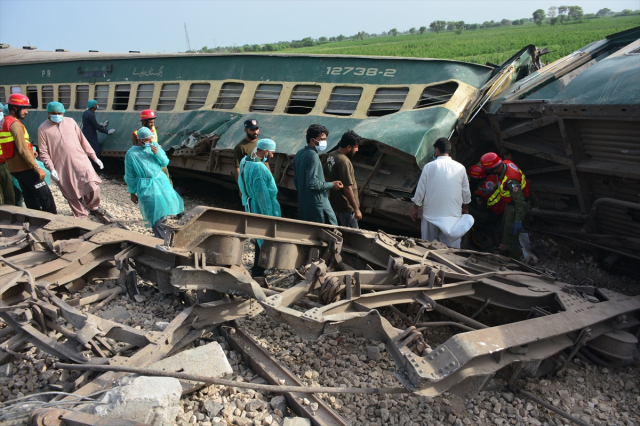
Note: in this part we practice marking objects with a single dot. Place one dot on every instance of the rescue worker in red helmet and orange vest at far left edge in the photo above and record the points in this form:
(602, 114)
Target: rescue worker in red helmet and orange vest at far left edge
(18, 152)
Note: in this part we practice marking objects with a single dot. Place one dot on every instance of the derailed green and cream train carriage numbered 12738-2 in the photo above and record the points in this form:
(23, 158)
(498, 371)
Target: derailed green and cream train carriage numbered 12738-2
(399, 105)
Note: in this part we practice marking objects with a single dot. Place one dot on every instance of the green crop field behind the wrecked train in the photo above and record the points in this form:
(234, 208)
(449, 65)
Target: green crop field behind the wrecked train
(483, 45)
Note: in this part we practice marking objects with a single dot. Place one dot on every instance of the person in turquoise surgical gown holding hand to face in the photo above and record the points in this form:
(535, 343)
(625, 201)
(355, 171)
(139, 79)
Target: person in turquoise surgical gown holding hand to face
(148, 186)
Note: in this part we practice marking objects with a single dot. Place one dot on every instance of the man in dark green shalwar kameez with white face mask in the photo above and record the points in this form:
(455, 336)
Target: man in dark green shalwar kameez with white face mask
(313, 202)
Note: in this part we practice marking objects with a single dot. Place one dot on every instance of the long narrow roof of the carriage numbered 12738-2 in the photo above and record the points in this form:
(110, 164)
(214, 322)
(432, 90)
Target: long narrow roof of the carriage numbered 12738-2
(18, 56)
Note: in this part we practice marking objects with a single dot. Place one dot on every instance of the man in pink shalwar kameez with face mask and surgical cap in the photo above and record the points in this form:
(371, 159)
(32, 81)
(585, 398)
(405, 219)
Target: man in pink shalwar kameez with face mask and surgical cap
(65, 152)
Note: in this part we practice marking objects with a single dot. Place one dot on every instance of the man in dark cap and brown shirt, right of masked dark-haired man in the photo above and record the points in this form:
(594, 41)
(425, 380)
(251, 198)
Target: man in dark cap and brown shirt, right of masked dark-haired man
(338, 167)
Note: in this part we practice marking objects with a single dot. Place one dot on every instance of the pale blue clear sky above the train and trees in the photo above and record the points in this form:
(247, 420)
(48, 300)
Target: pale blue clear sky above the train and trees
(158, 26)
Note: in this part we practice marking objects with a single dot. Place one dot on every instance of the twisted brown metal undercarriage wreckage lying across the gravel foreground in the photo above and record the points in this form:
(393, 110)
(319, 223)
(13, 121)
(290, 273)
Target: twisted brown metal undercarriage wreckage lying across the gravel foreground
(348, 275)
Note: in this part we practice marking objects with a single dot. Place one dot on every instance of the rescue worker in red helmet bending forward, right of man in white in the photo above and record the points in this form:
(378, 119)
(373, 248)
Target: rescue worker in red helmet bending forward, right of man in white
(513, 190)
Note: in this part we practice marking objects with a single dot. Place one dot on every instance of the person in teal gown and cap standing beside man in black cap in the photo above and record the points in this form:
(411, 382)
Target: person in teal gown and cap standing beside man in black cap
(259, 190)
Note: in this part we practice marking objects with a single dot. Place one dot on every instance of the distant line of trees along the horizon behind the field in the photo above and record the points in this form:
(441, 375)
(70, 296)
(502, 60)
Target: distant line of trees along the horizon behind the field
(554, 15)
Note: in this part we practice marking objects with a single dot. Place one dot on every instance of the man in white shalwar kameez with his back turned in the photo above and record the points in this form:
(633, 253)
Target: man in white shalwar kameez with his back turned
(444, 194)
